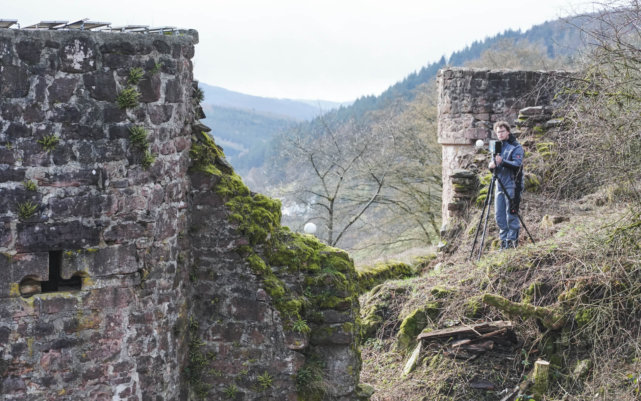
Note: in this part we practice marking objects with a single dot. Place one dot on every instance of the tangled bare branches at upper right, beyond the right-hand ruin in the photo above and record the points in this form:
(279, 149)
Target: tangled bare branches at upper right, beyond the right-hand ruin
(603, 109)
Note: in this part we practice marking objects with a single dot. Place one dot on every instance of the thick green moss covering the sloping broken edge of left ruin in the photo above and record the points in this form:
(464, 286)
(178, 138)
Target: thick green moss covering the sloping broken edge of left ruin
(329, 280)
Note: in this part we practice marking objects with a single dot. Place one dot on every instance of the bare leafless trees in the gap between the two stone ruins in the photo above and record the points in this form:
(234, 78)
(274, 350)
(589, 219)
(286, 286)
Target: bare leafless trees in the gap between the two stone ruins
(374, 184)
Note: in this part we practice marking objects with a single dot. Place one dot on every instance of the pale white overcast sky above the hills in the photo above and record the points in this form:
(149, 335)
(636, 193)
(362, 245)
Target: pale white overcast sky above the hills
(316, 49)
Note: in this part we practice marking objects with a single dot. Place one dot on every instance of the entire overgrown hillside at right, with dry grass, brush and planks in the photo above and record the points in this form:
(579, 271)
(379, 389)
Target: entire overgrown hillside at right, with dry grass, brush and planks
(468, 329)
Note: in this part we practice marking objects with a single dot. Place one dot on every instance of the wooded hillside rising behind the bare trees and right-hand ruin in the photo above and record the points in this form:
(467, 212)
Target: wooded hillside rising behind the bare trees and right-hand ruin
(333, 170)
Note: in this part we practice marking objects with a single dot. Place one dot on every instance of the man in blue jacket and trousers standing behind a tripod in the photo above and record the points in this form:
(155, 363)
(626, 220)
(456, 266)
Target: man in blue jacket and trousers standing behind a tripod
(509, 171)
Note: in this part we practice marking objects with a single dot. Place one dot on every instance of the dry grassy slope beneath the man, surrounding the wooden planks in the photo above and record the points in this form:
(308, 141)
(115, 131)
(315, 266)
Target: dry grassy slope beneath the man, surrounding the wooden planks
(587, 268)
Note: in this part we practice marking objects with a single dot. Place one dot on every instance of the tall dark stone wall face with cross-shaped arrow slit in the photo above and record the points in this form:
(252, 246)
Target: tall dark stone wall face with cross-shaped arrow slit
(100, 215)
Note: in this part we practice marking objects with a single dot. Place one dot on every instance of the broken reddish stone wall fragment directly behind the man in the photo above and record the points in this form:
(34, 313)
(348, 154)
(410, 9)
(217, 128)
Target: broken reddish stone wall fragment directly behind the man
(470, 101)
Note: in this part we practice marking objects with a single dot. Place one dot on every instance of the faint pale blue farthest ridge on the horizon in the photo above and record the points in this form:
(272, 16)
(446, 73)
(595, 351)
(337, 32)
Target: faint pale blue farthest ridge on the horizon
(297, 110)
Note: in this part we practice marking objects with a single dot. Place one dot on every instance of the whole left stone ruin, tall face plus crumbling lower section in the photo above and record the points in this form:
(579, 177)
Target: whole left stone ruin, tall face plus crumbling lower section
(152, 284)
